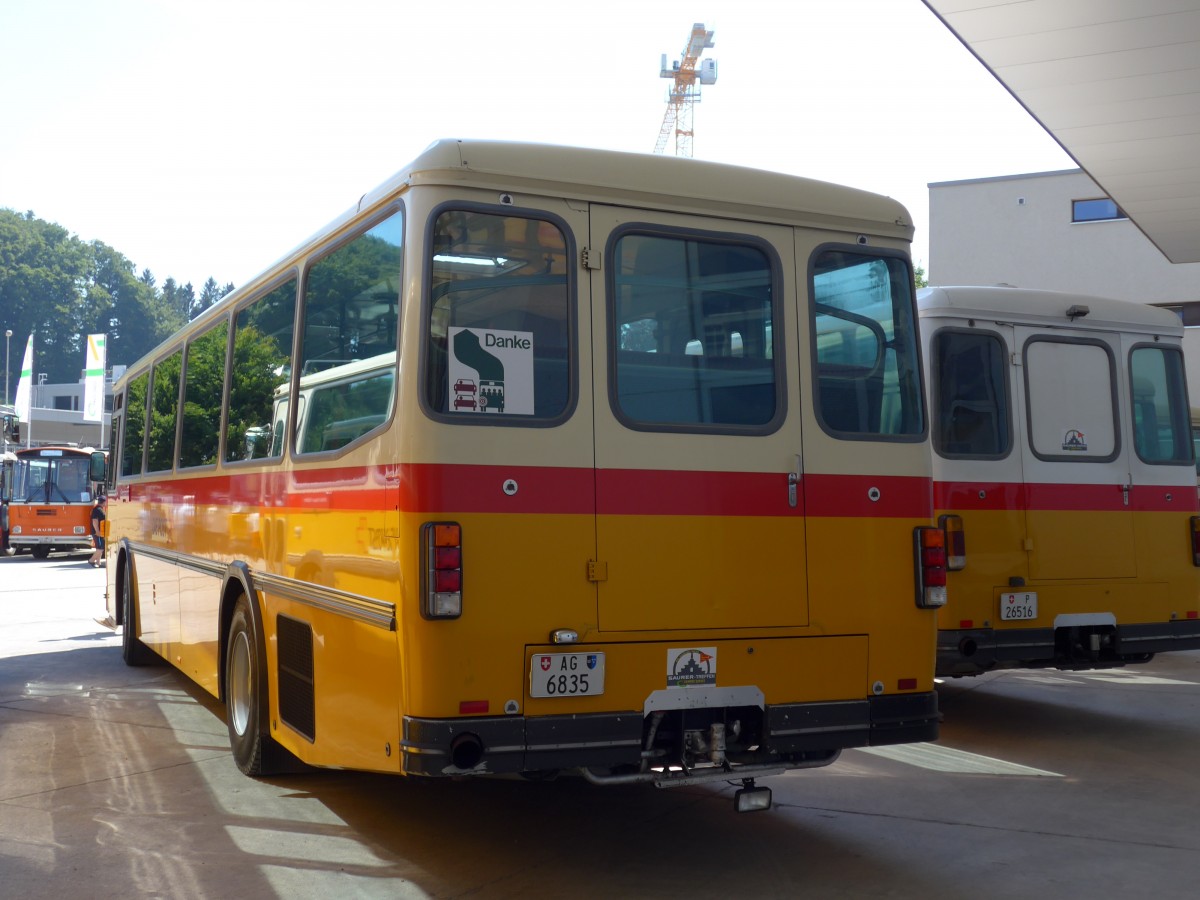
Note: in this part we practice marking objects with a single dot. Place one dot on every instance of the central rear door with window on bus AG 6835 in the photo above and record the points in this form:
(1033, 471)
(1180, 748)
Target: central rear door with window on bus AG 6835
(700, 523)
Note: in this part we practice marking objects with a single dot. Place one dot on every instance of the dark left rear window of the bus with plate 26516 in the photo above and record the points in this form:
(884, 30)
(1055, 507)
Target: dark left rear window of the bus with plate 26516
(970, 395)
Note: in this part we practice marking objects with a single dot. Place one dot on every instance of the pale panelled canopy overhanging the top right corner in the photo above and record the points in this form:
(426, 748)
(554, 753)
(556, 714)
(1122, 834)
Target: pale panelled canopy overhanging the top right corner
(1118, 85)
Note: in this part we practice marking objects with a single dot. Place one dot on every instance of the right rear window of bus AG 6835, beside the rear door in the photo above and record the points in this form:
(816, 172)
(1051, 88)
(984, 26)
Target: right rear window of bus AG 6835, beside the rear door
(868, 375)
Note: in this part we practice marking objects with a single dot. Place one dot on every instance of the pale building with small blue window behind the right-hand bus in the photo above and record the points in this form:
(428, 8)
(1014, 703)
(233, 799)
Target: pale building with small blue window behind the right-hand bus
(1057, 231)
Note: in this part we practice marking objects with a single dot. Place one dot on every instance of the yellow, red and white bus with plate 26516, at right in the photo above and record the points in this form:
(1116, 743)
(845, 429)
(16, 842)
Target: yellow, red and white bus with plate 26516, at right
(1065, 478)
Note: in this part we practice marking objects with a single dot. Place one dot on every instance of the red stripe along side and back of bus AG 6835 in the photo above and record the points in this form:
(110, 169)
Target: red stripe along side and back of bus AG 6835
(427, 488)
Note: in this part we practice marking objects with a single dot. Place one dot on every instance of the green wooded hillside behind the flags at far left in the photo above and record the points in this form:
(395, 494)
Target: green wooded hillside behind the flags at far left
(61, 290)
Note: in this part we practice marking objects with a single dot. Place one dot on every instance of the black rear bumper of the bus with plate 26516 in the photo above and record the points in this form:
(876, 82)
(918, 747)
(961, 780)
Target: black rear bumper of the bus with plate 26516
(975, 651)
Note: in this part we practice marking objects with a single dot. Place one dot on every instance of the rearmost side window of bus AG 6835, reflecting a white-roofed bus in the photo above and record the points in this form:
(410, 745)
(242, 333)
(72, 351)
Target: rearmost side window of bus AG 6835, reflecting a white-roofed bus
(351, 329)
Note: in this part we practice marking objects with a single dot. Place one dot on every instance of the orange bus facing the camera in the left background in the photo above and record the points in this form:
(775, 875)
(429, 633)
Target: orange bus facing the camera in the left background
(52, 497)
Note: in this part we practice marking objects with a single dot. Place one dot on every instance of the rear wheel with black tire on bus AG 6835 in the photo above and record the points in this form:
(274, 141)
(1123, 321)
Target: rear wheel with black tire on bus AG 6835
(247, 701)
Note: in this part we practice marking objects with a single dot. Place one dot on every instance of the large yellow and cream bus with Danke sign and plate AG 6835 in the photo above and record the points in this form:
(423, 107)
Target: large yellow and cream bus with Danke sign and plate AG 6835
(547, 459)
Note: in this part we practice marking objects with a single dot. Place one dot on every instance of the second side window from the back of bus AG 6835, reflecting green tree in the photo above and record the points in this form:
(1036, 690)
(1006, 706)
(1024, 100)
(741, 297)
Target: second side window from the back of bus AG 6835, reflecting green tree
(261, 367)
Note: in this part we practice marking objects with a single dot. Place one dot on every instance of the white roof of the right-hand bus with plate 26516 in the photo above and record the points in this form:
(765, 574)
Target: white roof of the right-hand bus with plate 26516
(1045, 308)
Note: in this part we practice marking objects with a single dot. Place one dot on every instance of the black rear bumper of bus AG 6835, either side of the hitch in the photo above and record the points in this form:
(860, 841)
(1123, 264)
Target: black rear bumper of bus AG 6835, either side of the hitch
(794, 735)
